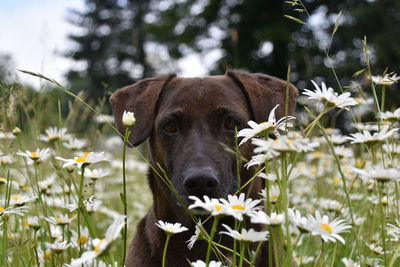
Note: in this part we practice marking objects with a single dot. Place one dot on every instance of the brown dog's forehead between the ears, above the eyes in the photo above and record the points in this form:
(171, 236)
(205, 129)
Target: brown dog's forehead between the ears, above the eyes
(202, 94)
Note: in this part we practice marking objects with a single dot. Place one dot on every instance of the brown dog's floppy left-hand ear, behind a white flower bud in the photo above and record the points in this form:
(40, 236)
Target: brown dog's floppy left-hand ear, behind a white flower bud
(141, 99)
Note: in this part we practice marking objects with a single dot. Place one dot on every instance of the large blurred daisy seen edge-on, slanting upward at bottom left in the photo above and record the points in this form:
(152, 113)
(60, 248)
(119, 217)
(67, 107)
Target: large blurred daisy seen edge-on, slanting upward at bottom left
(101, 245)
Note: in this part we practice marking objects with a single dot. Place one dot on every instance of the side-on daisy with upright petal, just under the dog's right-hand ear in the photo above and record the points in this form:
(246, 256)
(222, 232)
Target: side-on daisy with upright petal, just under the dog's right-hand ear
(264, 128)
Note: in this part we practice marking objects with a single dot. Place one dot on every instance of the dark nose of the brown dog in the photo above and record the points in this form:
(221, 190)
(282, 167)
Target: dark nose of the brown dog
(201, 183)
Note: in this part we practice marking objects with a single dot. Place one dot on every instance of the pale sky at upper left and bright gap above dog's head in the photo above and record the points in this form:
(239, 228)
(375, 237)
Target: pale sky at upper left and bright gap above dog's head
(34, 33)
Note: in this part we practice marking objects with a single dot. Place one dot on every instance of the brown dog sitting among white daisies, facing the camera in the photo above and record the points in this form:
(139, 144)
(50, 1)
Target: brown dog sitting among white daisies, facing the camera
(190, 122)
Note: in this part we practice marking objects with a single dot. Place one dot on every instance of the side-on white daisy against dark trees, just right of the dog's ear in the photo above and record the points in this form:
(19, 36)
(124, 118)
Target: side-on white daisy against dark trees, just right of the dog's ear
(329, 97)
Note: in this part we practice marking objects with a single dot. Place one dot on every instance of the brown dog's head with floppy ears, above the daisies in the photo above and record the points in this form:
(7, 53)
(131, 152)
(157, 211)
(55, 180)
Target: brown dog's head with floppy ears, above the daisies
(191, 124)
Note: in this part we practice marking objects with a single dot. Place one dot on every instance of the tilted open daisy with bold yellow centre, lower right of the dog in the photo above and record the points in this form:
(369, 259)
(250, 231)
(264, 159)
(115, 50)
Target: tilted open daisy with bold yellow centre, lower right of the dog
(328, 230)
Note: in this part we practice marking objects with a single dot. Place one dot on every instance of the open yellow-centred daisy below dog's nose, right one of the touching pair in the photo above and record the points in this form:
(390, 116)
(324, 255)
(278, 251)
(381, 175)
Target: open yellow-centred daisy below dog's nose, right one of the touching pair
(238, 206)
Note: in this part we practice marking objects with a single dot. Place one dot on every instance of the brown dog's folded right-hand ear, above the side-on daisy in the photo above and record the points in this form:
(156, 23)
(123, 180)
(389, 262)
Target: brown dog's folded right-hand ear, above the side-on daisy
(264, 92)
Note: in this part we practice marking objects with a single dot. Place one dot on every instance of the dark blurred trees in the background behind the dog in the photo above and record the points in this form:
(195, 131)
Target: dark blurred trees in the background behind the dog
(123, 41)
